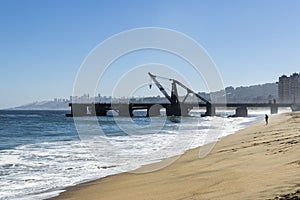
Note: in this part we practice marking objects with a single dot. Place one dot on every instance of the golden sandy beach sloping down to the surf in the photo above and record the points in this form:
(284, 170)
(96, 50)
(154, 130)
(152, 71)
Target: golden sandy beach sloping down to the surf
(258, 162)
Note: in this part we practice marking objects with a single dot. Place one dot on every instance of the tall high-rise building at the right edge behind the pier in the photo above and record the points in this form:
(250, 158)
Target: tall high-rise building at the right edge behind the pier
(289, 88)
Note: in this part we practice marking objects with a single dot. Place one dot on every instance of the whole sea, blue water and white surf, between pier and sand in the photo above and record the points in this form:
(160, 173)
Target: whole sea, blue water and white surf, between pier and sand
(42, 152)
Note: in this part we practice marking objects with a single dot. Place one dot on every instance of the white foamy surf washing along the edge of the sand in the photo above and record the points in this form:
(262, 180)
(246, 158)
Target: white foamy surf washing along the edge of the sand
(43, 170)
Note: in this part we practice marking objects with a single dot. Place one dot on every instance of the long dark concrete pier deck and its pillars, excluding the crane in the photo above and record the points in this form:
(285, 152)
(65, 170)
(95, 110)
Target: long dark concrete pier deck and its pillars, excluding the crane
(126, 110)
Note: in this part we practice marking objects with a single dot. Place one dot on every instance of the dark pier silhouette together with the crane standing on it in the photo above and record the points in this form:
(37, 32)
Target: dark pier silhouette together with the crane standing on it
(173, 107)
